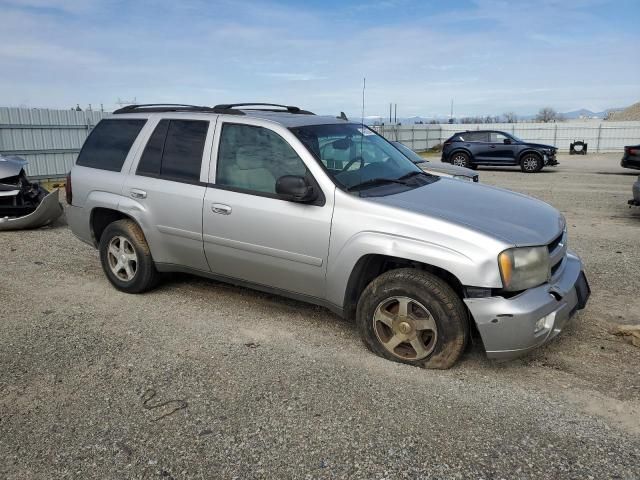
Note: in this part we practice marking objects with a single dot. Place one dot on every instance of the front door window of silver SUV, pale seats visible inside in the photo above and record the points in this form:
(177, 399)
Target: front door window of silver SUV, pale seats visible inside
(253, 158)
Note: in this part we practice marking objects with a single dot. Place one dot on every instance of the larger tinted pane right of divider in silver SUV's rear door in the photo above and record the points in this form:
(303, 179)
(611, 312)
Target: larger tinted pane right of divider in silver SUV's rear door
(183, 148)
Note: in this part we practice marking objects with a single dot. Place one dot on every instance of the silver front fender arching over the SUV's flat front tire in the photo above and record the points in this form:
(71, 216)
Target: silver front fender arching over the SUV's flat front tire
(469, 272)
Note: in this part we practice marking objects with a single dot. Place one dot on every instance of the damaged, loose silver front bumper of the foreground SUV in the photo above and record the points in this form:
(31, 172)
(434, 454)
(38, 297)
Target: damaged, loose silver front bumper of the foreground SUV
(508, 325)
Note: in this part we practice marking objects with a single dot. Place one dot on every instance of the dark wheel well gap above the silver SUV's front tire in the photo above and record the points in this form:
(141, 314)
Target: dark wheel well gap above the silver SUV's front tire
(372, 266)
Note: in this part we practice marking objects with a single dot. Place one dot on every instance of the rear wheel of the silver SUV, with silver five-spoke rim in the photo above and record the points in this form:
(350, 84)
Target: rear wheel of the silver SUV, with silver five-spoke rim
(126, 258)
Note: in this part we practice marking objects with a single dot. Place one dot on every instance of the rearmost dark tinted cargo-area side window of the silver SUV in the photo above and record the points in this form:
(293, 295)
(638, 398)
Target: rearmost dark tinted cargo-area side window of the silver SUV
(108, 144)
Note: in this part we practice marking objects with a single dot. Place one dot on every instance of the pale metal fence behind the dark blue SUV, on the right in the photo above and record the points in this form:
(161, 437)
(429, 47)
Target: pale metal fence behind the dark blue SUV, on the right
(600, 136)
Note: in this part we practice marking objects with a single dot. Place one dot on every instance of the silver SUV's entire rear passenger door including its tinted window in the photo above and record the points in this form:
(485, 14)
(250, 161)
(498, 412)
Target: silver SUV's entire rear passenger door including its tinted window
(166, 190)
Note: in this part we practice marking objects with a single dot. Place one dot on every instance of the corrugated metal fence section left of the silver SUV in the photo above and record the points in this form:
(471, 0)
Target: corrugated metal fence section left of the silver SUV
(49, 139)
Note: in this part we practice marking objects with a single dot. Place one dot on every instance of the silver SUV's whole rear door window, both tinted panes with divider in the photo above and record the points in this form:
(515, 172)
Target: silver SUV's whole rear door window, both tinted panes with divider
(174, 151)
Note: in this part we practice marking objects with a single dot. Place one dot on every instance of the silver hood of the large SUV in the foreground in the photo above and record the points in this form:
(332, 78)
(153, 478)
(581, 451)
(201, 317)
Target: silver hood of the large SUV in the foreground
(508, 216)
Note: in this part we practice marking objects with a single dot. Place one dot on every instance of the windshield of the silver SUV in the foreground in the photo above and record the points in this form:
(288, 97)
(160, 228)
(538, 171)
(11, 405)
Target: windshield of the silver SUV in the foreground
(357, 158)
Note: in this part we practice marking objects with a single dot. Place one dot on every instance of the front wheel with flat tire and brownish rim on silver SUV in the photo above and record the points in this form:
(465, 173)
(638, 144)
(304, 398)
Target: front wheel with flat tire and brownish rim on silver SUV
(411, 316)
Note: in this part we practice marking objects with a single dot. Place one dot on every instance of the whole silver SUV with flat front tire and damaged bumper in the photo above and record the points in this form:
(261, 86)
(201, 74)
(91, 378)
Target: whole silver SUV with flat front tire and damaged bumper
(326, 211)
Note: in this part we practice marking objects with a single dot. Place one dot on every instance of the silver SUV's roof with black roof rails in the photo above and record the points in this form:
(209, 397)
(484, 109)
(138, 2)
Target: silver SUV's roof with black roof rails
(287, 116)
